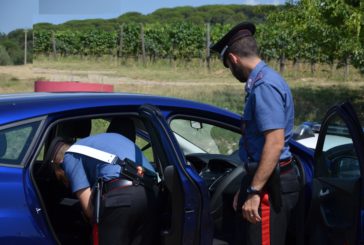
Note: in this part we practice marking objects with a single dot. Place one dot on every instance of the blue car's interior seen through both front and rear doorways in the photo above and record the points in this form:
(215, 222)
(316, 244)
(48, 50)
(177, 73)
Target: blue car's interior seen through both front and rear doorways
(221, 173)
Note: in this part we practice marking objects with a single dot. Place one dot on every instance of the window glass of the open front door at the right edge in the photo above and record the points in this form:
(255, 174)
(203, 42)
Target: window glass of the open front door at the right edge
(341, 158)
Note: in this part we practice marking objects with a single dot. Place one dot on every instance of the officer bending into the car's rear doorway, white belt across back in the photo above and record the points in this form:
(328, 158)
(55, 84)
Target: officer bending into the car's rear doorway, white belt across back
(114, 183)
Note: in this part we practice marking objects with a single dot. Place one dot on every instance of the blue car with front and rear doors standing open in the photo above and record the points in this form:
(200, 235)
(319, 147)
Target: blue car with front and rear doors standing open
(193, 147)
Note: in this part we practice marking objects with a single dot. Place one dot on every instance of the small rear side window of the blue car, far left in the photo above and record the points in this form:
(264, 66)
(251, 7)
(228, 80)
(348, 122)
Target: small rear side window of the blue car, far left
(15, 141)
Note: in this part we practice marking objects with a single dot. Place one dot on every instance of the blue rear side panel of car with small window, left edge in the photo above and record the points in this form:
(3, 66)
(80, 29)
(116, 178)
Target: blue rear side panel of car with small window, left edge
(22, 220)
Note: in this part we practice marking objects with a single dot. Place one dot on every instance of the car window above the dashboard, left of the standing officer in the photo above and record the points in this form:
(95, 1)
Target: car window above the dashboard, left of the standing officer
(201, 137)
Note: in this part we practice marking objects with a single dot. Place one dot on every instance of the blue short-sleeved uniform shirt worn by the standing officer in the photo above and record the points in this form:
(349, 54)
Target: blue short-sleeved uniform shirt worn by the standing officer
(268, 105)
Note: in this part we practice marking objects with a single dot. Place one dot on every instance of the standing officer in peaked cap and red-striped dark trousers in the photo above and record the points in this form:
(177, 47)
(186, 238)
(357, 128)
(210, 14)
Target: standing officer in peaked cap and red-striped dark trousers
(269, 191)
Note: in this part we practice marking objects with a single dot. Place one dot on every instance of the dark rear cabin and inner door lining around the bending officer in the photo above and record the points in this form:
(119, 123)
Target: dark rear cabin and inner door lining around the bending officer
(63, 210)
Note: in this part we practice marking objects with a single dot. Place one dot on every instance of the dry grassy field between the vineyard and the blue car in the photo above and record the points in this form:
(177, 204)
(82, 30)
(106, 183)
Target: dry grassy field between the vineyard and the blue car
(313, 94)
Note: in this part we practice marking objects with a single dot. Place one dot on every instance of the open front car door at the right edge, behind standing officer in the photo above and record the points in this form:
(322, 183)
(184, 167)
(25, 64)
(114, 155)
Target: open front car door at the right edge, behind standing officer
(336, 204)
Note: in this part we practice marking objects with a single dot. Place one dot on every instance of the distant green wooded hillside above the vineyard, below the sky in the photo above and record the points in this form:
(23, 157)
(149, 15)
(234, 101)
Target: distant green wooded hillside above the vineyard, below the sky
(214, 14)
